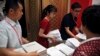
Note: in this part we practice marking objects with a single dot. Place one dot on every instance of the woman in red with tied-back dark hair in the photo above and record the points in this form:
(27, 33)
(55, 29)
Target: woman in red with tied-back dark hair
(47, 14)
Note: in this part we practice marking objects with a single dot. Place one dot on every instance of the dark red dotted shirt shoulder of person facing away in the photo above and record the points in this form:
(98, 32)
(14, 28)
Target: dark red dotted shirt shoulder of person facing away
(89, 48)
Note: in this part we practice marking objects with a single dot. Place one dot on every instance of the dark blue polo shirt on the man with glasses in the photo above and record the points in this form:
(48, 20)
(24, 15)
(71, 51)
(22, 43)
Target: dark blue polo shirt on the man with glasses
(68, 21)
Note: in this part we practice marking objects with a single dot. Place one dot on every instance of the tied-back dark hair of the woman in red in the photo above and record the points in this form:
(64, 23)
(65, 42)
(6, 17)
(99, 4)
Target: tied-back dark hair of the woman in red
(48, 10)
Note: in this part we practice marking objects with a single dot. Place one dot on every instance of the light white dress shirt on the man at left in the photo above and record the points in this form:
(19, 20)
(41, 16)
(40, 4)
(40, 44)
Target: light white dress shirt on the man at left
(10, 34)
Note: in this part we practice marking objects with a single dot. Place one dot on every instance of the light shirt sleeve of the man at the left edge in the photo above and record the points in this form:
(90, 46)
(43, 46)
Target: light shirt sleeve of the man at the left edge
(3, 38)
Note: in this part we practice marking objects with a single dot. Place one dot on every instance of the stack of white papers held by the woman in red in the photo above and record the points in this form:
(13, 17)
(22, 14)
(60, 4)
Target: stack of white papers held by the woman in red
(56, 34)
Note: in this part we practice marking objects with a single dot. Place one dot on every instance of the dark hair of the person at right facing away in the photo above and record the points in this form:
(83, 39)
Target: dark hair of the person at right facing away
(91, 18)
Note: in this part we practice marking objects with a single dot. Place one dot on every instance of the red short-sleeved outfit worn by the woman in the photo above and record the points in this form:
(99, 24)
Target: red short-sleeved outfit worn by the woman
(44, 24)
